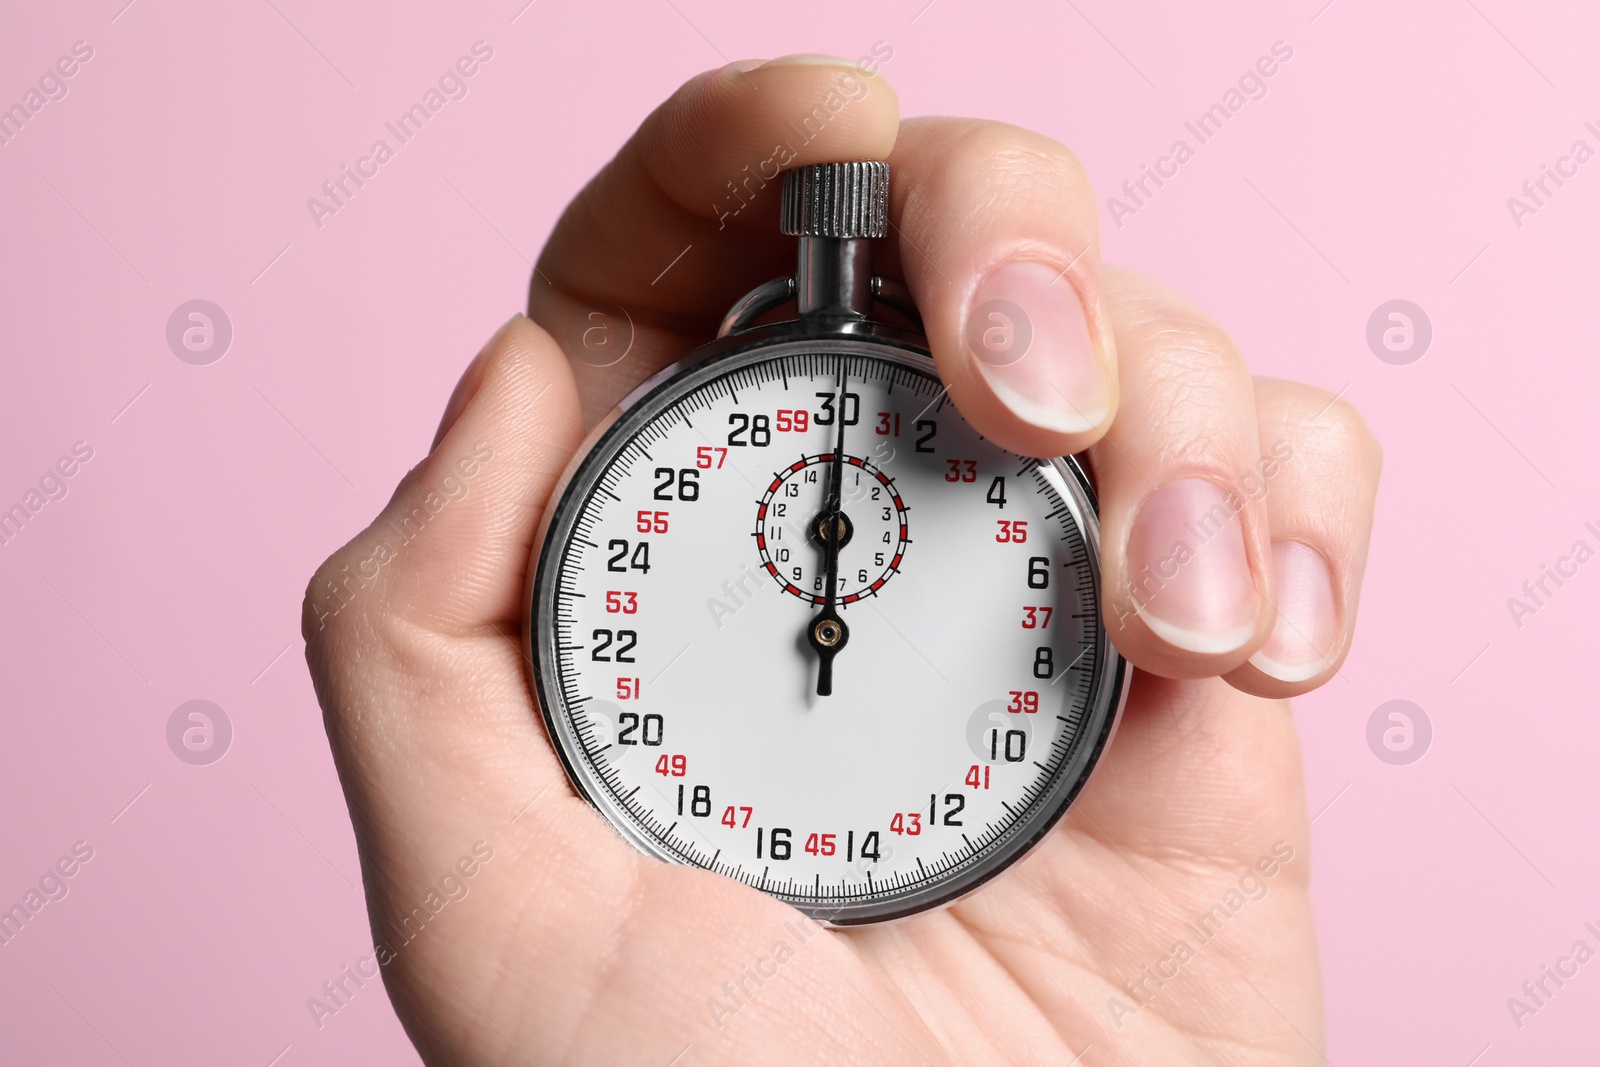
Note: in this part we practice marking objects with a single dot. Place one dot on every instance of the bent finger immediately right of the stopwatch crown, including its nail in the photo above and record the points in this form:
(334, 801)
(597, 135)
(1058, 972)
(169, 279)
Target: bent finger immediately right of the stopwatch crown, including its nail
(999, 242)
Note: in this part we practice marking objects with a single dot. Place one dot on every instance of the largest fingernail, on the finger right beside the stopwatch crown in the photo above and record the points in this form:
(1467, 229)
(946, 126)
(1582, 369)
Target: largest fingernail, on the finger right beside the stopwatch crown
(1031, 340)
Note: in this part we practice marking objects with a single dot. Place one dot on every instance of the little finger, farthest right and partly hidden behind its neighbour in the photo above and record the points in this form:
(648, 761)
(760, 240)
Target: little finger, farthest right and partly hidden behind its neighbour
(1319, 479)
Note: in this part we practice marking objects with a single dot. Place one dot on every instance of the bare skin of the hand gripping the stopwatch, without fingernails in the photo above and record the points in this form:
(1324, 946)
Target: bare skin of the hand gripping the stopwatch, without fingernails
(569, 946)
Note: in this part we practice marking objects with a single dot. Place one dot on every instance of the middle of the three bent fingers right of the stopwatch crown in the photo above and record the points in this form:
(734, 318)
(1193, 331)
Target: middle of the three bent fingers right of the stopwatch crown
(1185, 541)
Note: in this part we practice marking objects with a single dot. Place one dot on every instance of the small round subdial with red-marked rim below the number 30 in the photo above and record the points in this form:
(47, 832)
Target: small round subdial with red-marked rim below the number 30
(793, 538)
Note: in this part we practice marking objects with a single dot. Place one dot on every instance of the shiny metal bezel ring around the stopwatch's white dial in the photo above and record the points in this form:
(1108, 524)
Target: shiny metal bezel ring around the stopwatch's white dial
(574, 490)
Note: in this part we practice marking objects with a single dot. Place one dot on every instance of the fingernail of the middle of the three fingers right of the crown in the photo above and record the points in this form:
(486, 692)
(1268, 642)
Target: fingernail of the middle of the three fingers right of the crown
(1188, 572)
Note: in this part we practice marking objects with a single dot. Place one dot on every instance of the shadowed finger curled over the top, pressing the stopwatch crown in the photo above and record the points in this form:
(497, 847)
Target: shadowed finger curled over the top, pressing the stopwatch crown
(682, 223)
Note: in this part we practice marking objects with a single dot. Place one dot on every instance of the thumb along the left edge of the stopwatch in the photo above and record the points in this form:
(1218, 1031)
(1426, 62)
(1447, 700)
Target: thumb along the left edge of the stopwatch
(414, 628)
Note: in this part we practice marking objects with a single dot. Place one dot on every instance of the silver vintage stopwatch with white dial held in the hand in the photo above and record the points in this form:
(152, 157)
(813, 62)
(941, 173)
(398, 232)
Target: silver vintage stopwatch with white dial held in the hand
(794, 621)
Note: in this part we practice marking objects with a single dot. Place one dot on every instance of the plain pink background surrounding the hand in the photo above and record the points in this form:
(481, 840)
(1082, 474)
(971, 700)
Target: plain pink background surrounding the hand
(178, 167)
